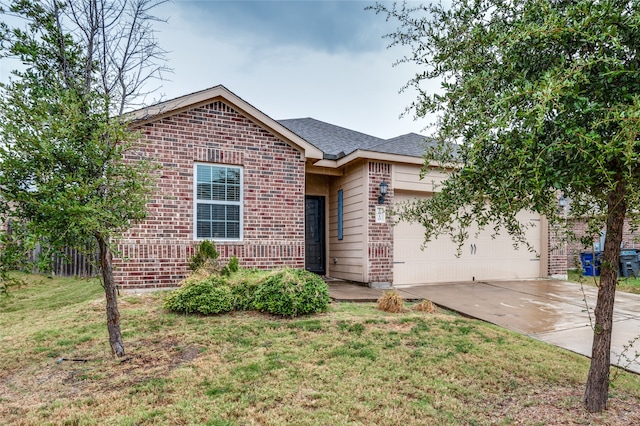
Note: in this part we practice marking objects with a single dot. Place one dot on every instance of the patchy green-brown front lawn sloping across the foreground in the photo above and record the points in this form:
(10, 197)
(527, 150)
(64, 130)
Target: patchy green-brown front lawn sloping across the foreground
(353, 365)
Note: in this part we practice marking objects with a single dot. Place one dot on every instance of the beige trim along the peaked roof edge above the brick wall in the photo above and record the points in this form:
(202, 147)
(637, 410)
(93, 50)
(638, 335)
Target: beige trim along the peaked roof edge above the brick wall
(221, 93)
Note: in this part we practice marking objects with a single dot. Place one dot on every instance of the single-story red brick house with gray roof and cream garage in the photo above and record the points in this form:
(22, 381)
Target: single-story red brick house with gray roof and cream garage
(299, 192)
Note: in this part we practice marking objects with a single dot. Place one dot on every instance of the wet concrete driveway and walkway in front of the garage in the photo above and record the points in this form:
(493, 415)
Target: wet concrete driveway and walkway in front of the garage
(551, 311)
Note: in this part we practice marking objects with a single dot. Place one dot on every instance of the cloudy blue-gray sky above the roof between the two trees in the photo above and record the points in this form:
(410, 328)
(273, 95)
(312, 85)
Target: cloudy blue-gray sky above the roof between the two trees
(291, 59)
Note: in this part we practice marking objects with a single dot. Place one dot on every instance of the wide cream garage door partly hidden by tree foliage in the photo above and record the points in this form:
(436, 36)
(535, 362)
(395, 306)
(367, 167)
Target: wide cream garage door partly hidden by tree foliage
(482, 257)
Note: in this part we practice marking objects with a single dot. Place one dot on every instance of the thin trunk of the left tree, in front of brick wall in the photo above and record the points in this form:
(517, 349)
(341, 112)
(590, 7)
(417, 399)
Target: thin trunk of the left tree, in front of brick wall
(110, 291)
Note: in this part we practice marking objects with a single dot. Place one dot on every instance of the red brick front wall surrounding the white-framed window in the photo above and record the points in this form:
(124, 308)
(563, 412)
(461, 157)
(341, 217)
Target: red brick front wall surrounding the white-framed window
(157, 251)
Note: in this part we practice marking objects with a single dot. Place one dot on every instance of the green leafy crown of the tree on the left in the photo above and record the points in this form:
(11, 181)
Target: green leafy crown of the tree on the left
(64, 170)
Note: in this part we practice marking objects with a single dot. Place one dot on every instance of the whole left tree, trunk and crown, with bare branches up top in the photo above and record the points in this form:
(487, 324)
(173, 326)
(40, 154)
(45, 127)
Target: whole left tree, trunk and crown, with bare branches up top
(69, 172)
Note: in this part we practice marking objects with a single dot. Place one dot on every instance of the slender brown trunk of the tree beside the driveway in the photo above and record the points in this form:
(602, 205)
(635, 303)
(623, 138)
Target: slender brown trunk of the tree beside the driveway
(597, 389)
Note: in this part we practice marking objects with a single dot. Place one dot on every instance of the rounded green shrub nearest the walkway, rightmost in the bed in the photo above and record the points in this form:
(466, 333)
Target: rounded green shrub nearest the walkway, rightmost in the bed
(292, 292)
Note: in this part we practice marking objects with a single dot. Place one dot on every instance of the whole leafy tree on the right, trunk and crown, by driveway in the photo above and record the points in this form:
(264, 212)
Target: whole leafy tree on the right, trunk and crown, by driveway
(544, 98)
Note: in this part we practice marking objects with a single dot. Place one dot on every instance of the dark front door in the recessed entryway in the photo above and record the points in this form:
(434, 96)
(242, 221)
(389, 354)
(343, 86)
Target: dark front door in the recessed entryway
(314, 234)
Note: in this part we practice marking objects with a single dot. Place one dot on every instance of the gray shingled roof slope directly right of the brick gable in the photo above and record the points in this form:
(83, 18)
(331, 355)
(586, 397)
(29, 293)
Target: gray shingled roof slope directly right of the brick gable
(334, 141)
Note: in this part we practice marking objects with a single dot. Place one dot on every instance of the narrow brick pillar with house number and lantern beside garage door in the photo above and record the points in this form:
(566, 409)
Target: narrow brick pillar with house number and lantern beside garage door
(379, 235)
